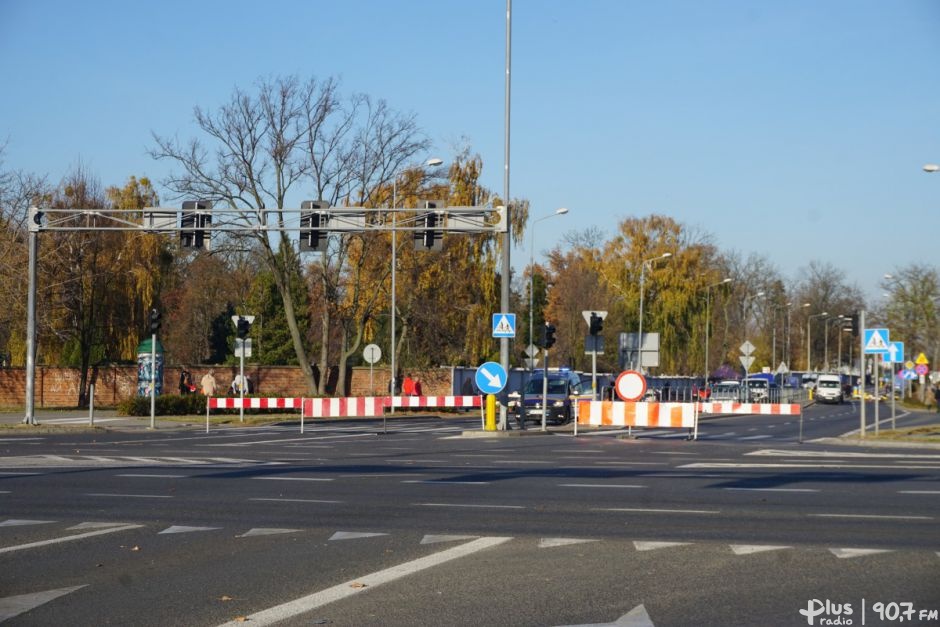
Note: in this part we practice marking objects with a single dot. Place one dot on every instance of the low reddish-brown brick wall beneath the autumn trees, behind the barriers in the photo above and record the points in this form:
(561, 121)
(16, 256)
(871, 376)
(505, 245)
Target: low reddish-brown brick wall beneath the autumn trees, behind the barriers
(58, 387)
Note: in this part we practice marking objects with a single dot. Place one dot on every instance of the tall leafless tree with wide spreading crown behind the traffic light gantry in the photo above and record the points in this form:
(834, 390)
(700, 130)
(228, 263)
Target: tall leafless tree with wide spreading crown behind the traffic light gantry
(287, 134)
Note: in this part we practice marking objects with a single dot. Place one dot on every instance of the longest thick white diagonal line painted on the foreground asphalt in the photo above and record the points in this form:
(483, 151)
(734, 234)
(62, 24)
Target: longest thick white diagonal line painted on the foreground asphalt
(355, 586)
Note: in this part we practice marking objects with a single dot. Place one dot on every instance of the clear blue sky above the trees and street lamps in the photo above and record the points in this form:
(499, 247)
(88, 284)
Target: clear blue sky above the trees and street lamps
(794, 129)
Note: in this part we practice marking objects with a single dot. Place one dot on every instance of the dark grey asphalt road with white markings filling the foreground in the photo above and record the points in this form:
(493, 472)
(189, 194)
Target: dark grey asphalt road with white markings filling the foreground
(343, 525)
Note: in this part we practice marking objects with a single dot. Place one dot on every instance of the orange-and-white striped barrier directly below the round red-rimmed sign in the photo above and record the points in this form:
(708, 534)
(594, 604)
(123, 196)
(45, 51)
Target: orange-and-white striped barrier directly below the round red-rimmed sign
(617, 414)
